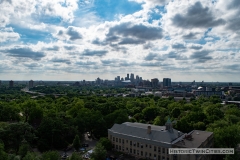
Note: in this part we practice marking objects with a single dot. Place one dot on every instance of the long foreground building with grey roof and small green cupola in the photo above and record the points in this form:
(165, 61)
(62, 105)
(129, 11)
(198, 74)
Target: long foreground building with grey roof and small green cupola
(152, 142)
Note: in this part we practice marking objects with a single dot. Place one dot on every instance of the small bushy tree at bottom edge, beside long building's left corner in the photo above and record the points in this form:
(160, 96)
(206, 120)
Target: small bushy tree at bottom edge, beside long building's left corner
(99, 152)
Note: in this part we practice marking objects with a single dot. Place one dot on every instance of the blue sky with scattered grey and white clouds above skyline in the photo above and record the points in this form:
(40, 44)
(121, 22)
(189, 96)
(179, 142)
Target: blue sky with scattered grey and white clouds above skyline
(184, 40)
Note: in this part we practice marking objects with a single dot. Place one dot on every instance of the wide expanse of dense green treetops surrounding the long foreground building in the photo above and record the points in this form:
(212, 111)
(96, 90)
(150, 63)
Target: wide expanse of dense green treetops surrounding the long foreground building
(52, 121)
